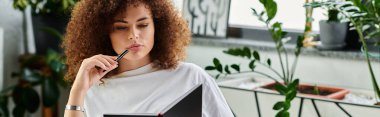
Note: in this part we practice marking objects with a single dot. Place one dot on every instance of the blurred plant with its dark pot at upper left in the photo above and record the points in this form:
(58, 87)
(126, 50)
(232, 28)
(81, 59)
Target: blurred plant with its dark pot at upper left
(47, 15)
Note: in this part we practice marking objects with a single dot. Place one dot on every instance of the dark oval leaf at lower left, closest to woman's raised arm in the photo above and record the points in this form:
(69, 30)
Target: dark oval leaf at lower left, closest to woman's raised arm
(50, 92)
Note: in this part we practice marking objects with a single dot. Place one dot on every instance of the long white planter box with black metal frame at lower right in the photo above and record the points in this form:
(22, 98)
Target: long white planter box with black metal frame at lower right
(250, 102)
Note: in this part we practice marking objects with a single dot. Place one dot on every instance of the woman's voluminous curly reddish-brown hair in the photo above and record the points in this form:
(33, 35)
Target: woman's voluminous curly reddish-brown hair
(87, 33)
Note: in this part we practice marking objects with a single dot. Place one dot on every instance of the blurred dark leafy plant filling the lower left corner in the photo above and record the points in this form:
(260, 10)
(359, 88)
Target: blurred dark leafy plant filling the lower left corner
(46, 71)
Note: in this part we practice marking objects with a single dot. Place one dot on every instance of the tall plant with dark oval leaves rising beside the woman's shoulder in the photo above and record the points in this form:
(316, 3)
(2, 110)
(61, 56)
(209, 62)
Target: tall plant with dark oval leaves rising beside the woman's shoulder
(286, 74)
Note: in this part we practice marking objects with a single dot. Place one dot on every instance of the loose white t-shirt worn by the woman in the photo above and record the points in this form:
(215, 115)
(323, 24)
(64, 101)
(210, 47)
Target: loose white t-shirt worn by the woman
(148, 90)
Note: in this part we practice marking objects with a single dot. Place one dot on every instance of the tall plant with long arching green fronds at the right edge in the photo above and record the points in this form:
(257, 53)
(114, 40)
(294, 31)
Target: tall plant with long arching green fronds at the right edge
(364, 17)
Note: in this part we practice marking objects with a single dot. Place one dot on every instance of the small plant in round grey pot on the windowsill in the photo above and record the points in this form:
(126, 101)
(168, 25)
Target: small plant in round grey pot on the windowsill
(332, 31)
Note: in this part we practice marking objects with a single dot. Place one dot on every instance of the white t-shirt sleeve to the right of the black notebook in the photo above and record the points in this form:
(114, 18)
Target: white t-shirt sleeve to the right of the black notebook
(214, 103)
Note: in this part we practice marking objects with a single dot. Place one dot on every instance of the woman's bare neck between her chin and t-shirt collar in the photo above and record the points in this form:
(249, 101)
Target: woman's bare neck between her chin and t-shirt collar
(127, 65)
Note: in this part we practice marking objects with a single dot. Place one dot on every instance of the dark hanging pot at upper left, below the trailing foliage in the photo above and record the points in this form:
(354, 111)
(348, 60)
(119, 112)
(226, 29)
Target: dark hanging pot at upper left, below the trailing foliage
(45, 40)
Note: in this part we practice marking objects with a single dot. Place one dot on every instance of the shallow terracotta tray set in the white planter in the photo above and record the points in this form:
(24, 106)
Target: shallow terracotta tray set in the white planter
(325, 91)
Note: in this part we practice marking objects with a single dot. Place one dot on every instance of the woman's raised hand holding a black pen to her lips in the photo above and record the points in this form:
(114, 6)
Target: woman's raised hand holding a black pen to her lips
(92, 70)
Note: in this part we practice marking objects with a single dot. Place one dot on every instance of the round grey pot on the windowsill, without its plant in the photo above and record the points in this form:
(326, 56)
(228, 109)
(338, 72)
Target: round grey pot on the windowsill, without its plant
(332, 35)
